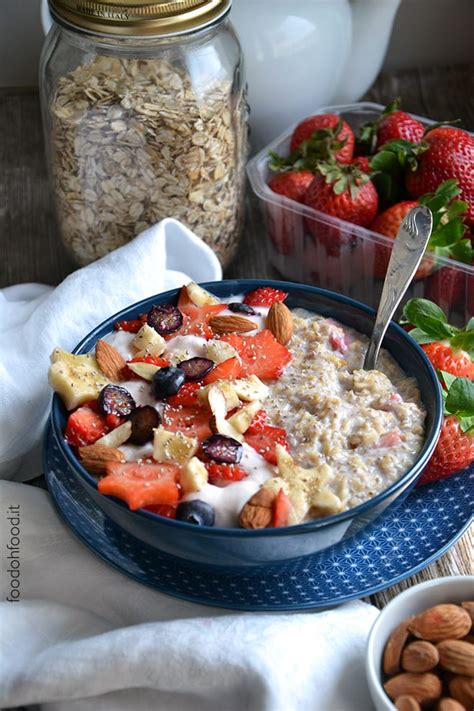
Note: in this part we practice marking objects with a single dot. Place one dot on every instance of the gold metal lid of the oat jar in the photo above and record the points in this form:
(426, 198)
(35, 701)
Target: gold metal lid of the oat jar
(138, 18)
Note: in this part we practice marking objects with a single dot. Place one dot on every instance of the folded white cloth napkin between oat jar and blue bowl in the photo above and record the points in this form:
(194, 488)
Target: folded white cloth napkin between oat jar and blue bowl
(35, 318)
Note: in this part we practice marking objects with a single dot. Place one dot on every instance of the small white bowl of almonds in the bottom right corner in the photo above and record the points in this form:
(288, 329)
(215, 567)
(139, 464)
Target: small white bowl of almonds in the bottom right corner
(420, 652)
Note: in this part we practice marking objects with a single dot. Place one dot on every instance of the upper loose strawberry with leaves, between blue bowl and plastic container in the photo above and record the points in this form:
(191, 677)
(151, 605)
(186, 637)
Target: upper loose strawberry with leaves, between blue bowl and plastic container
(449, 349)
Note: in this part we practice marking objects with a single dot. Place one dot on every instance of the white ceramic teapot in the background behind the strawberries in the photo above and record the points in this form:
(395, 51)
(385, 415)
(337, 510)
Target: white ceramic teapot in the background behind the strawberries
(302, 54)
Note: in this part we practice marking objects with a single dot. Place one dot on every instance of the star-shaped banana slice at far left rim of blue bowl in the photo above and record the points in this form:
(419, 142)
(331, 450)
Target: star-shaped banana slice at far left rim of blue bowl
(76, 378)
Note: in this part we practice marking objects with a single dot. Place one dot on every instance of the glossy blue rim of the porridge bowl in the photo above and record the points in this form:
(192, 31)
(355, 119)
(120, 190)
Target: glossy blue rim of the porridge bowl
(239, 286)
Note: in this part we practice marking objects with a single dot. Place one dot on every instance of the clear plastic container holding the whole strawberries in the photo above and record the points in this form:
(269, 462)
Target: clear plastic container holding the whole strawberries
(308, 246)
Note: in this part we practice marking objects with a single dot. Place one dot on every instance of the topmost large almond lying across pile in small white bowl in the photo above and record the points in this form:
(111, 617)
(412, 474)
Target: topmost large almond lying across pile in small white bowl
(441, 622)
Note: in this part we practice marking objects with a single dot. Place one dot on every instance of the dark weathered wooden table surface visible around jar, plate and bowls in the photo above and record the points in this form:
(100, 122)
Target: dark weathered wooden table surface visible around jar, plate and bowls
(32, 252)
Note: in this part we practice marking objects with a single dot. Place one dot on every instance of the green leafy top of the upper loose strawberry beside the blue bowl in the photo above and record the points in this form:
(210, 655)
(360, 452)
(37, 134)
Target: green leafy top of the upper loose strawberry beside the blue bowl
(432, 325)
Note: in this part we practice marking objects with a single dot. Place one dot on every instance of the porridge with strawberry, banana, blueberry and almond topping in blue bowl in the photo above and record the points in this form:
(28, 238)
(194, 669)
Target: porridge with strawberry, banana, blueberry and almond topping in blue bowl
(238, 413)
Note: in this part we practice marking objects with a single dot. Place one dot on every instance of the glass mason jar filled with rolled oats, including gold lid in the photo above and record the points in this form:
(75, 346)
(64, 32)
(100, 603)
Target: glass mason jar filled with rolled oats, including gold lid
(145, 118)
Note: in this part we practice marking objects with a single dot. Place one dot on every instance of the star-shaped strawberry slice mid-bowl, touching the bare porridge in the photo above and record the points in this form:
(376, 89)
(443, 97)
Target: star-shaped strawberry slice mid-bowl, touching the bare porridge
(261, 354)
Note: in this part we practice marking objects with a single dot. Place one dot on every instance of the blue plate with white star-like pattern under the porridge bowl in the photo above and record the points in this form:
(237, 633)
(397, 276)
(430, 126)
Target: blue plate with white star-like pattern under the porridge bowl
(398, 544)
